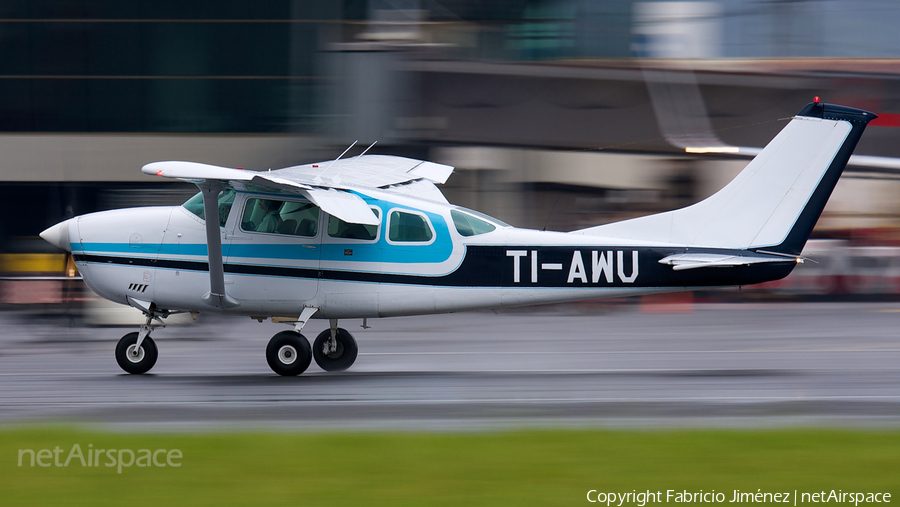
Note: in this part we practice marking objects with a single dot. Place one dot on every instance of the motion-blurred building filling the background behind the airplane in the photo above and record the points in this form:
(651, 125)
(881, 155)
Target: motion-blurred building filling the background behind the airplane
(557, 114)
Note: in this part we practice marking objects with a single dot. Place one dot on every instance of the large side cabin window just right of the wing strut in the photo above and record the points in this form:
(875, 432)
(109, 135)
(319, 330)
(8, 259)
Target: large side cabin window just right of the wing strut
(273, 216)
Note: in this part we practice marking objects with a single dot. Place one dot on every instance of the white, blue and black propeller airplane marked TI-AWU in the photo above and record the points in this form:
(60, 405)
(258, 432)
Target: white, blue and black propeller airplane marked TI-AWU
(372, 236)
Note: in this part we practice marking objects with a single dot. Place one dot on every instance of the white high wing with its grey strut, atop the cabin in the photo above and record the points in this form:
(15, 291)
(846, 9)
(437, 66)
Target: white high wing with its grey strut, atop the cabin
(333, 186)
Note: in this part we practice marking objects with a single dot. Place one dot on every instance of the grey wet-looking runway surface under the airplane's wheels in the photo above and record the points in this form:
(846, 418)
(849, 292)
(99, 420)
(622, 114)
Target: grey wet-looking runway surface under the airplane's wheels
(720, 365)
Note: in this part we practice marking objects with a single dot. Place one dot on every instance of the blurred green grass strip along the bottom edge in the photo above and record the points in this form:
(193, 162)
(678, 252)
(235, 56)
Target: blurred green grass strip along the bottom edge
(540, 467)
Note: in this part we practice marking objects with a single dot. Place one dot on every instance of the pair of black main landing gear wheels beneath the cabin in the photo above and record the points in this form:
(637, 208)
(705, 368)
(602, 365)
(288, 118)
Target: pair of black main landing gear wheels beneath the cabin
(289, 353)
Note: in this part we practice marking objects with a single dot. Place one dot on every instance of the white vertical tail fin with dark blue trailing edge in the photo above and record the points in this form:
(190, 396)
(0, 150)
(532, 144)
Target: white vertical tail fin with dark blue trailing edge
(774, 203)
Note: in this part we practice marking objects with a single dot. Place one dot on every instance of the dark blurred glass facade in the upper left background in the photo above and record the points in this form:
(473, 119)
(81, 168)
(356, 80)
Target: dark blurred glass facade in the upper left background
(161, 66)
